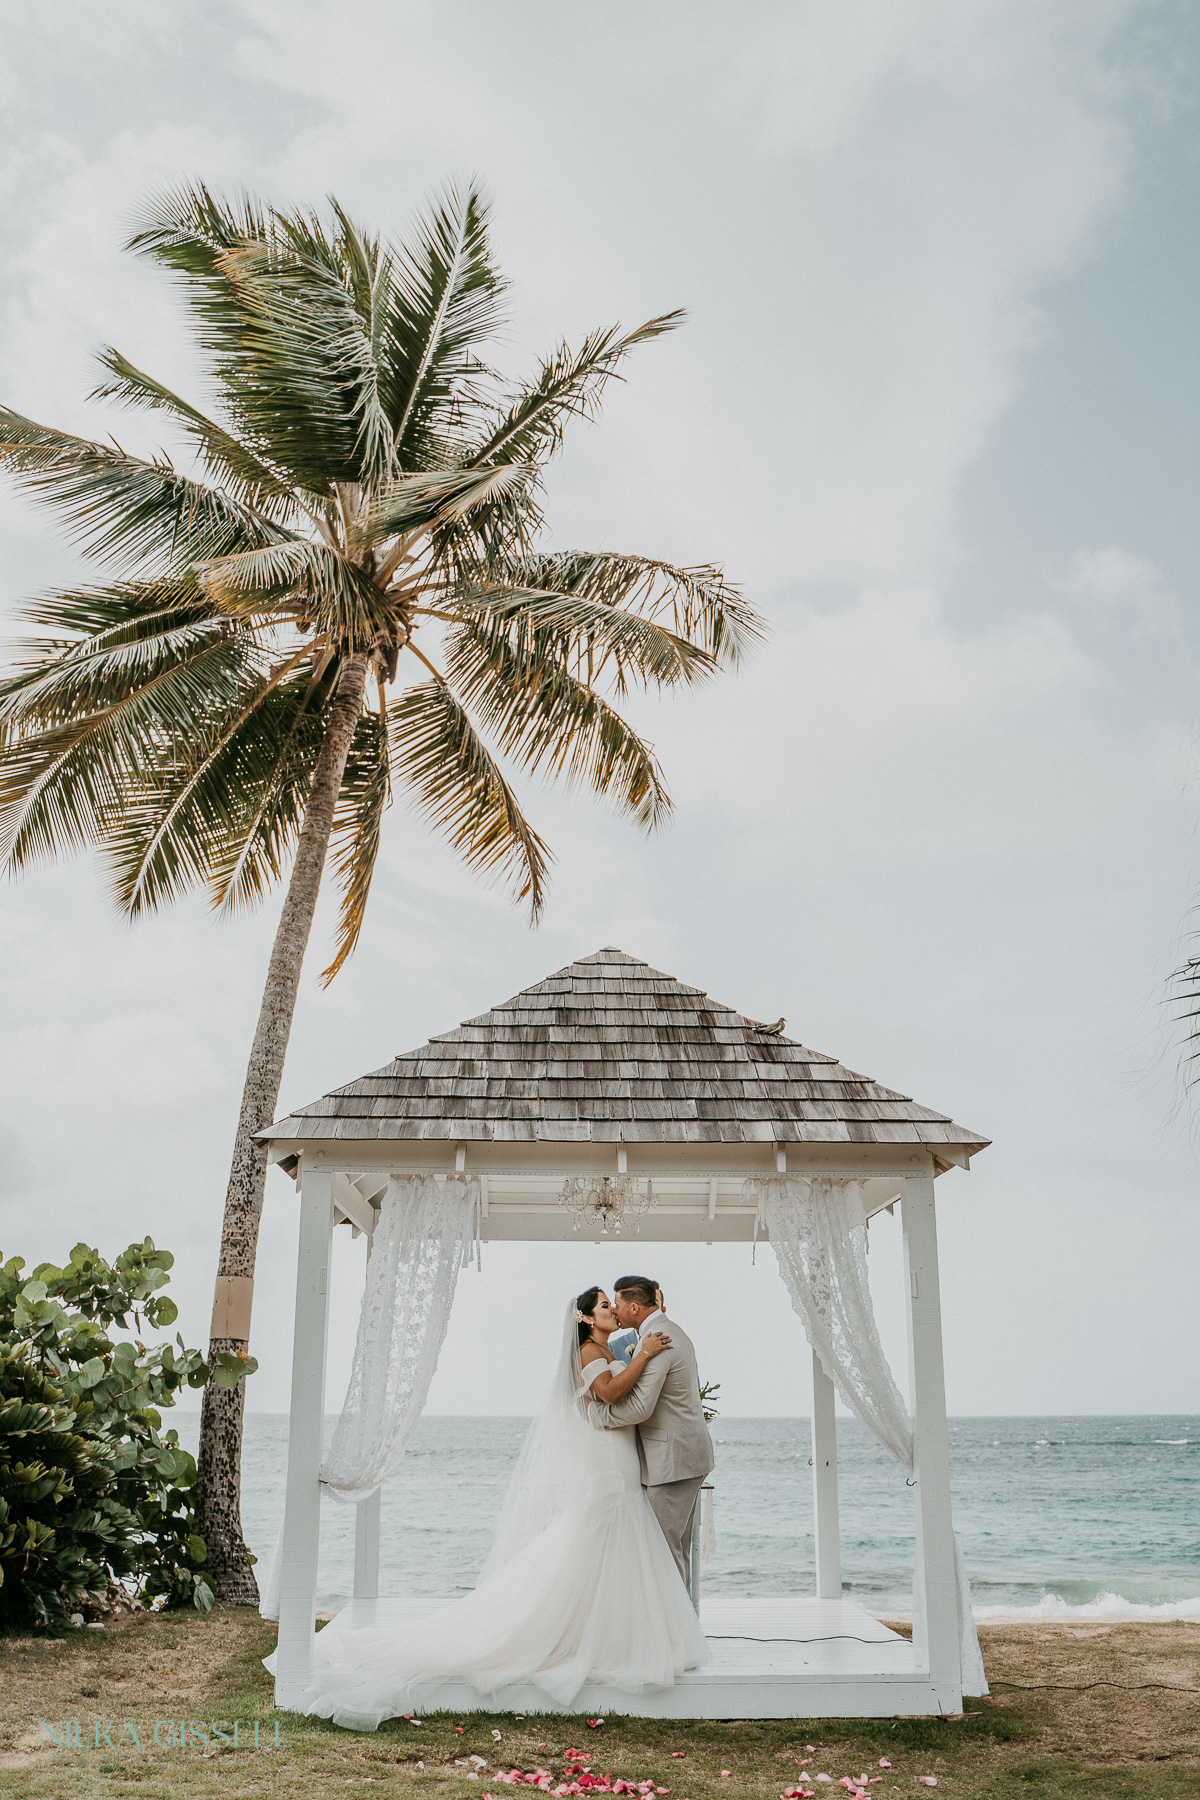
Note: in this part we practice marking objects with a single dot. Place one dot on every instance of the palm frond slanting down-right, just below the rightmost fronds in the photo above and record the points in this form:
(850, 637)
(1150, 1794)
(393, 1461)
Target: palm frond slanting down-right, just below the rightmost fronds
(542, 717)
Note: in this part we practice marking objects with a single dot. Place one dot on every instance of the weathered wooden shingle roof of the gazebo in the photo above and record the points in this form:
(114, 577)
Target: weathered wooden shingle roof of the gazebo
(611, 1050)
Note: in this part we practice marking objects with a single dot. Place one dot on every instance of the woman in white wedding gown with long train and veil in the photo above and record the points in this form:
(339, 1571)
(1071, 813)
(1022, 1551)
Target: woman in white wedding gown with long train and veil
(580, 1585)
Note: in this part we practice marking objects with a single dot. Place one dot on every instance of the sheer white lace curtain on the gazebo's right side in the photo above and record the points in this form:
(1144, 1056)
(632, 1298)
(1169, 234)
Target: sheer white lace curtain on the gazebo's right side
(819, 1234)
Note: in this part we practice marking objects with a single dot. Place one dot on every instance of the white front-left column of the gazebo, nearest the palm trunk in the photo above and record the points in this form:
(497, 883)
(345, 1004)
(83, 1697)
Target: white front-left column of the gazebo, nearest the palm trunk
(301, 1534)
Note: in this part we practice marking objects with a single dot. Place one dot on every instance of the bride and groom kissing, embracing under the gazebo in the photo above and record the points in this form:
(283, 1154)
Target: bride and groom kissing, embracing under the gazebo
(587, 1574)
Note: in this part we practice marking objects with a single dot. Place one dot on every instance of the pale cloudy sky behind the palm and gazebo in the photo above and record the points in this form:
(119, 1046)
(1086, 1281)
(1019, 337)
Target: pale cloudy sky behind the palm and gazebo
(936, 409)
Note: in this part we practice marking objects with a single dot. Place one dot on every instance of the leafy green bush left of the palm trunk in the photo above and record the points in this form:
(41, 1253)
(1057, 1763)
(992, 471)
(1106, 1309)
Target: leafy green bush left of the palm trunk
(93, 1489)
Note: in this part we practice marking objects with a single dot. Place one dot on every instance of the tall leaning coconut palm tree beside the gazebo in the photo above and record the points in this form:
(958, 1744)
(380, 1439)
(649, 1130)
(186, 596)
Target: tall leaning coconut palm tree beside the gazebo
(361, 499)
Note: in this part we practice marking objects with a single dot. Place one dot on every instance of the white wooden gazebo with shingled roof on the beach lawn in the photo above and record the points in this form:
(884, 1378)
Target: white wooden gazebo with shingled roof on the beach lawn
(623, 1077)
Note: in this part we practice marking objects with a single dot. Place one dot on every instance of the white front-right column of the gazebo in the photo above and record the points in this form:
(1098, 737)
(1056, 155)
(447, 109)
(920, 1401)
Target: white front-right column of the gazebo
(936, 1623)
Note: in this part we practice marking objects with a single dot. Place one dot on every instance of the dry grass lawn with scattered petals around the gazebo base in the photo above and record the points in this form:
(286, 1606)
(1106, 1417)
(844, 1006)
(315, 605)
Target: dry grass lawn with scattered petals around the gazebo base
(154, 1669)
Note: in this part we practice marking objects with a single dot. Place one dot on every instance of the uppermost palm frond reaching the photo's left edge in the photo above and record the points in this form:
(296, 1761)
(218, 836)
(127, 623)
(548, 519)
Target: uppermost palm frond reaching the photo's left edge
(121, 507)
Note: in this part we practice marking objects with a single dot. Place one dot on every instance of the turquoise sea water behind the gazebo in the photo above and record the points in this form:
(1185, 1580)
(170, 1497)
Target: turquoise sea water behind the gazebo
(1057, 1516)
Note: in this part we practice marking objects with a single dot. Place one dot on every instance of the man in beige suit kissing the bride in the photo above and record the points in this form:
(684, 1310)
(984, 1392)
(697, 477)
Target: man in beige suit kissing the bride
(674, 1441)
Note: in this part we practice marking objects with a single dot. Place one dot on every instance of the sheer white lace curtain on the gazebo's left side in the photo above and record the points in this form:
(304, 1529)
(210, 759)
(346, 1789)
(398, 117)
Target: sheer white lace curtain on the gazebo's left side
(425, 1234)
